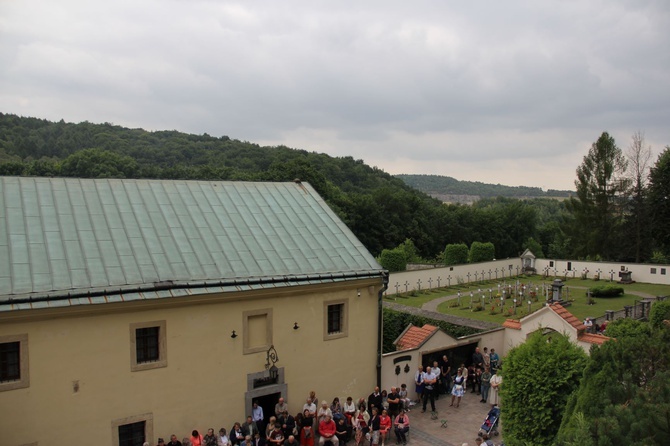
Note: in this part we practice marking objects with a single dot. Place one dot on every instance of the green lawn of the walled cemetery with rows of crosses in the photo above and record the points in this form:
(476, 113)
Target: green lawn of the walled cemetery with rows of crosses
(574, 288)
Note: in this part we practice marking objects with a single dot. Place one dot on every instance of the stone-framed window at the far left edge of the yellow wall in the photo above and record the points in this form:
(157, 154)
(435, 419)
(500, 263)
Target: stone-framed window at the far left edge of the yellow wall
(14, 362)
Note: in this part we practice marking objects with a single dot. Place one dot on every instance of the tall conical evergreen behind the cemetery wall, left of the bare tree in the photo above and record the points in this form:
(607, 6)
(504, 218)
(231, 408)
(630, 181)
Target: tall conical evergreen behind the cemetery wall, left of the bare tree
(597, 211)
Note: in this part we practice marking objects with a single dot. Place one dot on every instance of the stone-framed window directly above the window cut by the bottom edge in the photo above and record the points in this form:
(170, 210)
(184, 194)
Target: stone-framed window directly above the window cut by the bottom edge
(148, 346)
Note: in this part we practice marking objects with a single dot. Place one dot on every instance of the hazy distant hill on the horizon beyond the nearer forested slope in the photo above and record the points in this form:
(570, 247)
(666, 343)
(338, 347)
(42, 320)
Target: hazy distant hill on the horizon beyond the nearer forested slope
(451, 190)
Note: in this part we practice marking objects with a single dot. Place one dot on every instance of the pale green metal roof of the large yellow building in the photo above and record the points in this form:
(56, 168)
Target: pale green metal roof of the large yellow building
(71, 236)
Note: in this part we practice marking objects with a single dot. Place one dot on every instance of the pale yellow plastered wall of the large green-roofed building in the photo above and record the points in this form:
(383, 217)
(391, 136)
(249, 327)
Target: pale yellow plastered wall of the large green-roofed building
(206, 378)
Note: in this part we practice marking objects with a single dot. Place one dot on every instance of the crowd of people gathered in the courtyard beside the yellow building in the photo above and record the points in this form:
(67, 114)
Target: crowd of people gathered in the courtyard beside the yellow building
(381, 417)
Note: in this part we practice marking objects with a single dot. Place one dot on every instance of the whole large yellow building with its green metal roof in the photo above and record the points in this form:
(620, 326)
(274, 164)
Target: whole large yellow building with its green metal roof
(135, 309)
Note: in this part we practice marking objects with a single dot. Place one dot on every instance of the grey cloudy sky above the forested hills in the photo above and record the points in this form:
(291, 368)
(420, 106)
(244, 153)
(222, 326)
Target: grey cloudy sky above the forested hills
(511, 92)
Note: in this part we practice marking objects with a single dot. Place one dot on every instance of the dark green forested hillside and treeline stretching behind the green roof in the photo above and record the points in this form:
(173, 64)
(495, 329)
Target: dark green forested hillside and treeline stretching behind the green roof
(380, 209)
